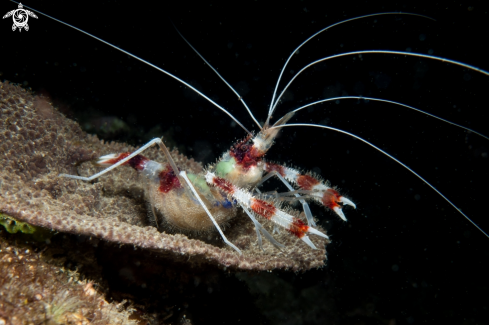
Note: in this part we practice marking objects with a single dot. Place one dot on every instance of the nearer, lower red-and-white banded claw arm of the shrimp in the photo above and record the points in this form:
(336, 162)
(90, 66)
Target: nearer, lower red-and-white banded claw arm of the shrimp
(265, 209)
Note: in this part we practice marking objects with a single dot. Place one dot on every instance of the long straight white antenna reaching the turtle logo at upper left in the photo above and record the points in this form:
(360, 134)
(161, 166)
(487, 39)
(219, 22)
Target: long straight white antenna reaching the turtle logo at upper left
(145, 62)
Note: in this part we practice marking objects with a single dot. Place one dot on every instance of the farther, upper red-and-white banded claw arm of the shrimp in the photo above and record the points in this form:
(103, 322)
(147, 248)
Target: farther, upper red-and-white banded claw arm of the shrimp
(312, 187)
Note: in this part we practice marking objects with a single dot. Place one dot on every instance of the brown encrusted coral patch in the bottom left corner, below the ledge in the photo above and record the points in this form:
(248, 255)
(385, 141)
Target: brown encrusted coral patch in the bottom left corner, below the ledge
(34, 291)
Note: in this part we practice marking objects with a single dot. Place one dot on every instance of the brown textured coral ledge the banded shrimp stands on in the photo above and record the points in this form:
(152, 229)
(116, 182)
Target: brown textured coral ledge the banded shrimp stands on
(37, 143)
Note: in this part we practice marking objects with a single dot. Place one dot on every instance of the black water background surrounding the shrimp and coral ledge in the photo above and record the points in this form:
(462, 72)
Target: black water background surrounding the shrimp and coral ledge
(405, 254)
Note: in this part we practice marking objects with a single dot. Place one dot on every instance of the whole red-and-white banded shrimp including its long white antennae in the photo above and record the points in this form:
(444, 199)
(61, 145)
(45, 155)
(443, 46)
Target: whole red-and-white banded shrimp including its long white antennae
(207, 200)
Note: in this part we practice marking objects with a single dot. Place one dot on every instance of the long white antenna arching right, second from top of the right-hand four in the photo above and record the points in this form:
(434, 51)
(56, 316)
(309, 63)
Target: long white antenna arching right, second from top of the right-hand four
(468, 66)
